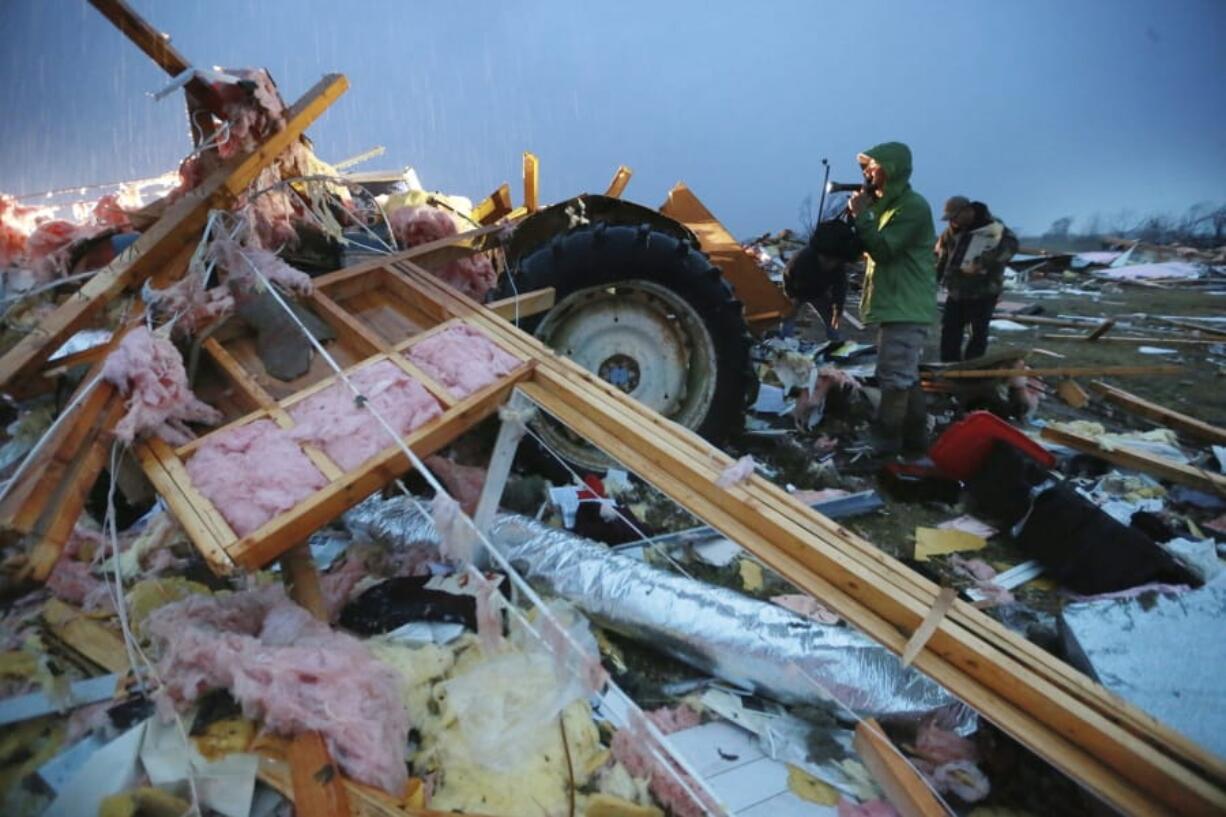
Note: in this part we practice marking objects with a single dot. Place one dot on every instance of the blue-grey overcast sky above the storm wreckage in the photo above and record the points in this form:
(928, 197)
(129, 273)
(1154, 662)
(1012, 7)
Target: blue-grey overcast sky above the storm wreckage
(1040, 109)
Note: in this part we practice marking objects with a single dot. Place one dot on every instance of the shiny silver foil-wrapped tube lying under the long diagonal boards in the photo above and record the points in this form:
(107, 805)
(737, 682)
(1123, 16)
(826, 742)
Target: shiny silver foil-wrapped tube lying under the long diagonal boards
(742, 641)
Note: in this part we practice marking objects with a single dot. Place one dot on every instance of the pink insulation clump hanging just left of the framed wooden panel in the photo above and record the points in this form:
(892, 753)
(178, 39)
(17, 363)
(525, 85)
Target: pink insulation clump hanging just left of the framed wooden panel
(148, 370)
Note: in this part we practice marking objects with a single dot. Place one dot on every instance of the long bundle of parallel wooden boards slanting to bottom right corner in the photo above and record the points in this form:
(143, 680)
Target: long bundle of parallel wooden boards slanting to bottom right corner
(1126, 758)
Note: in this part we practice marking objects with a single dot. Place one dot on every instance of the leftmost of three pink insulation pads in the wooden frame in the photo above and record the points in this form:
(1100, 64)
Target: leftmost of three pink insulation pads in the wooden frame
(253, 473)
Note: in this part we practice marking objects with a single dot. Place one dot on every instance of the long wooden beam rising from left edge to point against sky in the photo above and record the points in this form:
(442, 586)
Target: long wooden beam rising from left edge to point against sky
(173, 231)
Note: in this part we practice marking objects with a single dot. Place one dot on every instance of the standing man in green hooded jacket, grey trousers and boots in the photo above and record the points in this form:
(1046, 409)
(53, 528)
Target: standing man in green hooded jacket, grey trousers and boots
(894, 224)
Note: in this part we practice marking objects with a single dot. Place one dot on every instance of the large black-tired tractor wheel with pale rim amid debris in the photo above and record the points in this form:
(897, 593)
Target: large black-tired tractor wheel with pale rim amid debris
(649, 313)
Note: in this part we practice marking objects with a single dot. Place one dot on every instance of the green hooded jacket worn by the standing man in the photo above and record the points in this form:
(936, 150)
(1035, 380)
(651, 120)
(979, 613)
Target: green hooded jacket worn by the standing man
(900, 279)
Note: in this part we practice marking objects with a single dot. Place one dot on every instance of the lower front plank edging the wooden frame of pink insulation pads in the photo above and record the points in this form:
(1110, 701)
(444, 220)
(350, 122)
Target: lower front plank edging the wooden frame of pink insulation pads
(284, 532)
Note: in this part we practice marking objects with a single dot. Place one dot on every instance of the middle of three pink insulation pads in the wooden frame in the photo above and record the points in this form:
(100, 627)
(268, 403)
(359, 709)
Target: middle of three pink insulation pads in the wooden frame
(351, 435)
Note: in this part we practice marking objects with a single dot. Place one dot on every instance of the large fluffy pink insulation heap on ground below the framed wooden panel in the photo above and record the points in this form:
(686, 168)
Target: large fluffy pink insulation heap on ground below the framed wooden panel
(289, 670)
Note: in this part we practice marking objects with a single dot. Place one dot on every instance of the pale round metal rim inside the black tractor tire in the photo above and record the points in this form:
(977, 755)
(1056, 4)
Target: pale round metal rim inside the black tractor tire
(642, 338)
